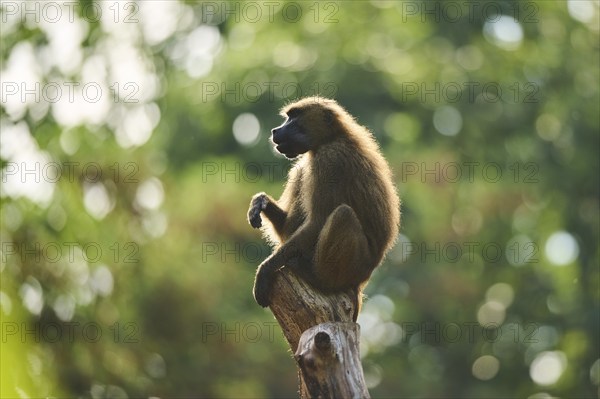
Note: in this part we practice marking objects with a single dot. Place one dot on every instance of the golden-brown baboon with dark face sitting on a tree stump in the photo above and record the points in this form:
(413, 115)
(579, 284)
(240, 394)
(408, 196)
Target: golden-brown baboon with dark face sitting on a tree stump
(339, 213)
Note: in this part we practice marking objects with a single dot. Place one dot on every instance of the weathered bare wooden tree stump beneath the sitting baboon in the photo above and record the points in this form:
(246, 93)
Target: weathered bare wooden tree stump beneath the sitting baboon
(322, 335)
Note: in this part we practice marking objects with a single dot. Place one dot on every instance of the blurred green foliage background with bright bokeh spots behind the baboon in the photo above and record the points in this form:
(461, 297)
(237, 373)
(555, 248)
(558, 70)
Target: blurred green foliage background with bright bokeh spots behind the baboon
(159, 258)
